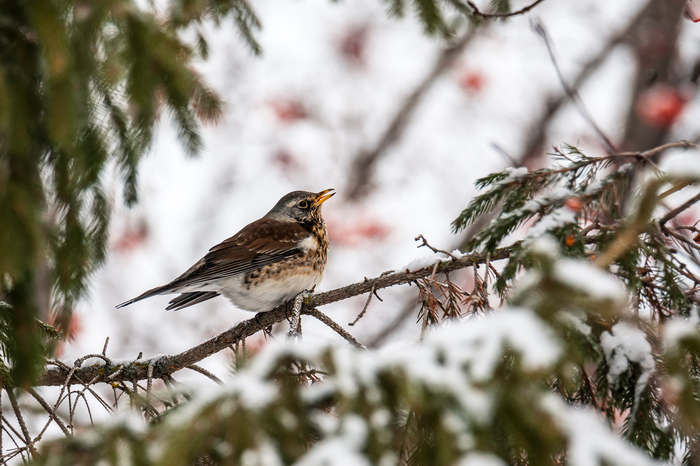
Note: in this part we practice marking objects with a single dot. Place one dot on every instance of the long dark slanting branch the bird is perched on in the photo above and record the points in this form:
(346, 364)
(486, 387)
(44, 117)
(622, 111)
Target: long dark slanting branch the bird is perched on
(164, 366)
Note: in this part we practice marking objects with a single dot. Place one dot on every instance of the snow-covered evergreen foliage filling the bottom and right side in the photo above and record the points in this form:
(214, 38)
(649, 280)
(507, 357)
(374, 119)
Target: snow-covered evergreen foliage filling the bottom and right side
(592, 361)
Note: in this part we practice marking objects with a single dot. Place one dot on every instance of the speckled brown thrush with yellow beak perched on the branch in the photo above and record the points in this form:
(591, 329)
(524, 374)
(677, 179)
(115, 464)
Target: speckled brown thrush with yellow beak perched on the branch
(266, 264)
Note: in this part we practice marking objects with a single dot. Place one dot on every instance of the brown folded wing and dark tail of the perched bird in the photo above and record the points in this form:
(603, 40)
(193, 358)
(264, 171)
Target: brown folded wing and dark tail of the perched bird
(260, 243)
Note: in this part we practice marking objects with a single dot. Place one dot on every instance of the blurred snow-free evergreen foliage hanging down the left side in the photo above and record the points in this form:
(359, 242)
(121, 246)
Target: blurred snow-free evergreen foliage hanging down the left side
(82, 85)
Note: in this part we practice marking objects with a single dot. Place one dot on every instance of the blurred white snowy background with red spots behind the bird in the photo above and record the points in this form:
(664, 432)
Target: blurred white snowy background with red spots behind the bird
(400, 124)
